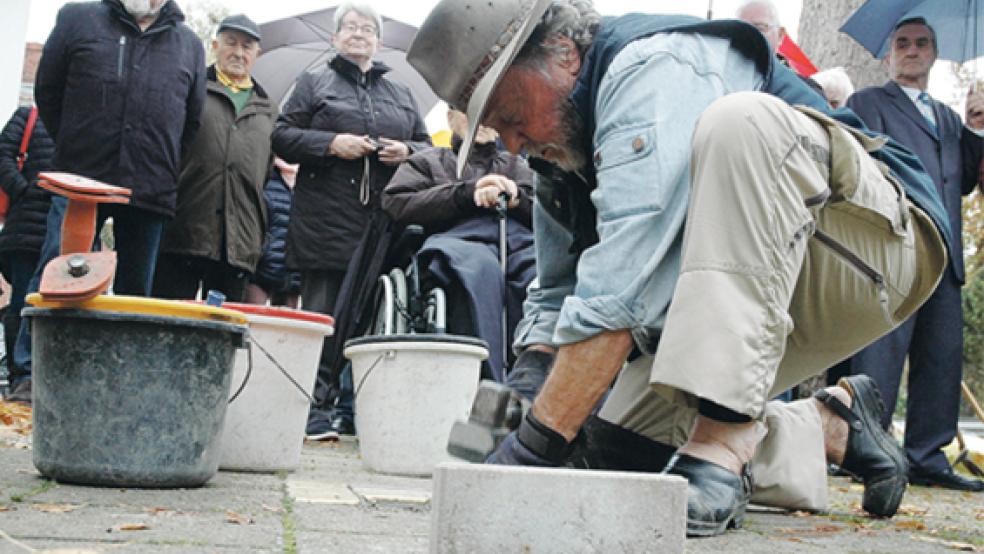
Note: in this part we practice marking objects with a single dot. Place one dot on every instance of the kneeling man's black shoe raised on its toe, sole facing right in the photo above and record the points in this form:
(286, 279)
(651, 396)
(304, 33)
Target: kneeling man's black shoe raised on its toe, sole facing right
(872, 454)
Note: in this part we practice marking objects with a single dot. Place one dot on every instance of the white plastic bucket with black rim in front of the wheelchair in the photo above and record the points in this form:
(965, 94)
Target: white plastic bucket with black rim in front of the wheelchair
(410, 389)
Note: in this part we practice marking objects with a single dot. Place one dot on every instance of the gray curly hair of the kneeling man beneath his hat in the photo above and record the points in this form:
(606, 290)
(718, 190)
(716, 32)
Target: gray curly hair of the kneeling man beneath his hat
(573, 19)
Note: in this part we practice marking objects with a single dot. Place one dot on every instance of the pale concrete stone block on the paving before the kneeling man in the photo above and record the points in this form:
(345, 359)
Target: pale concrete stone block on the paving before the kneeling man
(482, 508)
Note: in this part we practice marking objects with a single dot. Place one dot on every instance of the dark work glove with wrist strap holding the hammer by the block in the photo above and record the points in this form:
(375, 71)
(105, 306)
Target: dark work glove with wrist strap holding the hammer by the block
(532, 444)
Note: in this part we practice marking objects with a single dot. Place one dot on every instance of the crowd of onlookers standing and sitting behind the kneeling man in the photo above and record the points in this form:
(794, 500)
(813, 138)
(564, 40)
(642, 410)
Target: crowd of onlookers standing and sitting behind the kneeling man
(267, 204)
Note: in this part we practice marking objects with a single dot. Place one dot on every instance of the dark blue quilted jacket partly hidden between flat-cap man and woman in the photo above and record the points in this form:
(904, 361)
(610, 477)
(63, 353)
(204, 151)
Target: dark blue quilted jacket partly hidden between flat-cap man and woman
(271, 273)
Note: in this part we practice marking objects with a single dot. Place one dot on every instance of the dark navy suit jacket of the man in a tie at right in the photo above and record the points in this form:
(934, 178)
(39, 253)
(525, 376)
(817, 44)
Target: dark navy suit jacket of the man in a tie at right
(951, 154)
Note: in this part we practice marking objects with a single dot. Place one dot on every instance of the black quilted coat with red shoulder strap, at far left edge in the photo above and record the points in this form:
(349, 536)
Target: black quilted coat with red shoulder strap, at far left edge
(26, 219)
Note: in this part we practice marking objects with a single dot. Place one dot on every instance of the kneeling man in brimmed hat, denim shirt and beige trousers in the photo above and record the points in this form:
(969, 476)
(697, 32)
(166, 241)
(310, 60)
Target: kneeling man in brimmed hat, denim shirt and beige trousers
(708, 233)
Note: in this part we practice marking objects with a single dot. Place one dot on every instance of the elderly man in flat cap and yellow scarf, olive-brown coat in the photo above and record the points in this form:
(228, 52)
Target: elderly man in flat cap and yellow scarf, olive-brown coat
(216, 237)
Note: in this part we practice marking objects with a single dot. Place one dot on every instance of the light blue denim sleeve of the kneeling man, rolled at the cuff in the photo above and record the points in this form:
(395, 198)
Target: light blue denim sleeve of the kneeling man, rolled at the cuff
(647, 108)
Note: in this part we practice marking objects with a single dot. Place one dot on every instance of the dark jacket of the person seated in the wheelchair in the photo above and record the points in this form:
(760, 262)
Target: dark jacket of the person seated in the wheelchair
(426, 191)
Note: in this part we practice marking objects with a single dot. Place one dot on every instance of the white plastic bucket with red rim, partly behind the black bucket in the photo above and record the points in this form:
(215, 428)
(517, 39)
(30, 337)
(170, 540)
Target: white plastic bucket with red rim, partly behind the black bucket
(264, 428)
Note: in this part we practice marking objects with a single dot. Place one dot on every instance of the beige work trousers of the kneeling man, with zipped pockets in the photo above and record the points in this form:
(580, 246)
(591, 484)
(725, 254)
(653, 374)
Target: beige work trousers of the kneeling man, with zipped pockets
(798, 252)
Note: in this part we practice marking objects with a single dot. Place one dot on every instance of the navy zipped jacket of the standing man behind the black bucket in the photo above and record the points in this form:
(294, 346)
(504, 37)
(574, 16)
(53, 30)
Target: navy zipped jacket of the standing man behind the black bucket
(122, 104)
